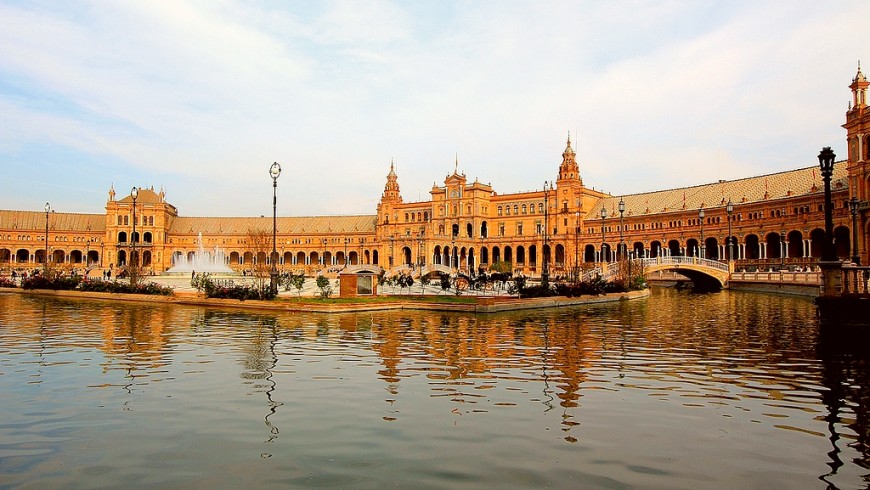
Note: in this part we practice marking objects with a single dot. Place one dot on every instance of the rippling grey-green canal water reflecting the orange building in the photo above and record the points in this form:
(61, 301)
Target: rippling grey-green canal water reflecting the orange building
(681, 390)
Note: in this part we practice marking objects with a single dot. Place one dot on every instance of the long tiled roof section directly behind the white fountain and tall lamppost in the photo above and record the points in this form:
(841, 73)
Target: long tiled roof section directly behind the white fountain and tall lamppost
(286, 225)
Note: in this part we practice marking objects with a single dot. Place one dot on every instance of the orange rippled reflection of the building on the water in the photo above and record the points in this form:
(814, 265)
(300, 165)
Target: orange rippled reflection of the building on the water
(726, 350)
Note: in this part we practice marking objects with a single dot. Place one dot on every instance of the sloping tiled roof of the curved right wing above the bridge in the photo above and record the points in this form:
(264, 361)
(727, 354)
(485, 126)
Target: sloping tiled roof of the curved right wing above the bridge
(750, 190)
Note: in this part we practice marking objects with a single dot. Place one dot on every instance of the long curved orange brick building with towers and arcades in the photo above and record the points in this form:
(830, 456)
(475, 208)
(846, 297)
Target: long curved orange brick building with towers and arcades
(773, 221)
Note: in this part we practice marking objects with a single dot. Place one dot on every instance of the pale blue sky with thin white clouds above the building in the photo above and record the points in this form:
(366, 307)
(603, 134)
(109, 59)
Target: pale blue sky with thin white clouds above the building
(200, 97)
